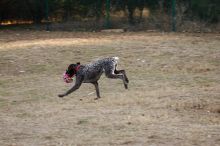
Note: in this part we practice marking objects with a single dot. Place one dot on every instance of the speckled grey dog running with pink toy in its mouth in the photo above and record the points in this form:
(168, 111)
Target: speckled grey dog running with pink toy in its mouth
(92, 72)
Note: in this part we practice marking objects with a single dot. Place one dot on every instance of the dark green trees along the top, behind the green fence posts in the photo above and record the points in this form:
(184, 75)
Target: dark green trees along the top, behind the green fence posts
(64, 10)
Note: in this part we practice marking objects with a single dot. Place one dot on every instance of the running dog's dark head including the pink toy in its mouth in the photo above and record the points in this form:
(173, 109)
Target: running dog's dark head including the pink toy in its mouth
(70, 72)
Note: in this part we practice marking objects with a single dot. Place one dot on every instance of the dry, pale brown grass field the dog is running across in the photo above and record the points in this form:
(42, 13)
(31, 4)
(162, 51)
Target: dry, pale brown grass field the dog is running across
(173, 97)
